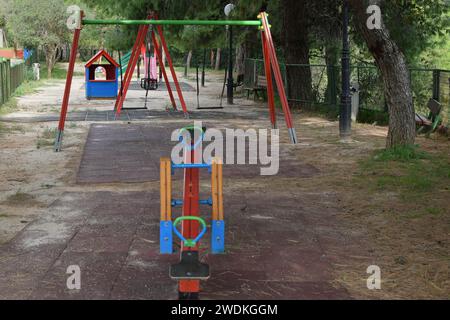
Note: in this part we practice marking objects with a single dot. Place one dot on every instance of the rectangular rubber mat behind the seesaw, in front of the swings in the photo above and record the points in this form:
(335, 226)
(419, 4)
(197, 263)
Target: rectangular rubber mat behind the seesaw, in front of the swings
(131, 153)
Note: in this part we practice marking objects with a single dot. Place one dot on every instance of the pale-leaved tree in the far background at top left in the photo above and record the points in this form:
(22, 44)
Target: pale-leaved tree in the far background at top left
(39, 23)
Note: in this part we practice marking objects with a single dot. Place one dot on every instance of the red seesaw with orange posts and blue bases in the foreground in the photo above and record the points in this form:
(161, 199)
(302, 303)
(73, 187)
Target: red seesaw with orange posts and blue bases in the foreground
(190, 270)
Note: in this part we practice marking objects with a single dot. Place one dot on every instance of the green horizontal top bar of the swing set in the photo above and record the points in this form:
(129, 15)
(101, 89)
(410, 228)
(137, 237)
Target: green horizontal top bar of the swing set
(255, 23)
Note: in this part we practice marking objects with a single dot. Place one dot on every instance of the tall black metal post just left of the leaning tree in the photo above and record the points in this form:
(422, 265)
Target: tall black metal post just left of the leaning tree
(345, 107)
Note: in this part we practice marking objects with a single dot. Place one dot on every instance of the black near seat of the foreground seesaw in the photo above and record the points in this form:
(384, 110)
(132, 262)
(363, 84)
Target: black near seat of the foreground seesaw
(189, 268)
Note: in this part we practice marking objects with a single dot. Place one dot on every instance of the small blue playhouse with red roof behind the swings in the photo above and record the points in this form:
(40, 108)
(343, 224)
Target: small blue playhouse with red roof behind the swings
(102, 77)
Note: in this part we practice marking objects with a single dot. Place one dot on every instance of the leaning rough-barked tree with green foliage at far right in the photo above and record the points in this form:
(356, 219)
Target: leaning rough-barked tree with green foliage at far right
(423, 21)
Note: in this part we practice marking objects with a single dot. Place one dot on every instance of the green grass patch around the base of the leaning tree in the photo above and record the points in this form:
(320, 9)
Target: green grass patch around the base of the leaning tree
(407, 171)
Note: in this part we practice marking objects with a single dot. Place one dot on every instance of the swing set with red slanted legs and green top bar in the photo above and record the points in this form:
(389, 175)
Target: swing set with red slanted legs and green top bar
(270, 63)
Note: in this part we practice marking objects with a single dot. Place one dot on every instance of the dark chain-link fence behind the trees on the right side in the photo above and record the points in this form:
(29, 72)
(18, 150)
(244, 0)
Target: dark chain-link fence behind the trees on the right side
(366, 81)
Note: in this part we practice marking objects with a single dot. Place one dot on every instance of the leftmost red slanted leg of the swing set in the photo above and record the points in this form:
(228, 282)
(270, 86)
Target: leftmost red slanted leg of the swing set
(65, 102)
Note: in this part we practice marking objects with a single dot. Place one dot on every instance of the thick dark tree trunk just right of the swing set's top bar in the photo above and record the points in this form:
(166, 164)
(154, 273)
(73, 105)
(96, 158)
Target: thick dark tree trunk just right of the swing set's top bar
(296, 51)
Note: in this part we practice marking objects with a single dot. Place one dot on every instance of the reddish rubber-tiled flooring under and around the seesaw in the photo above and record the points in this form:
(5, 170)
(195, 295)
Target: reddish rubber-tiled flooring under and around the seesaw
(280, 244)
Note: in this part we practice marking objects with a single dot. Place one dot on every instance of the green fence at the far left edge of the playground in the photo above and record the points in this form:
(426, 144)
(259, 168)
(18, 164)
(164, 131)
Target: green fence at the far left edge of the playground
(11, 77)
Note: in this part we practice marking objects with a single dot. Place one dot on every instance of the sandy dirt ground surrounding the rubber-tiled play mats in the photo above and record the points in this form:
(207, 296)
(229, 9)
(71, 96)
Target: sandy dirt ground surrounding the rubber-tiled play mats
(413, 253)
